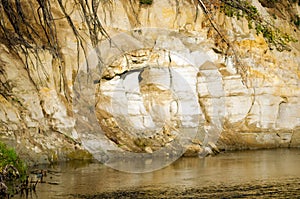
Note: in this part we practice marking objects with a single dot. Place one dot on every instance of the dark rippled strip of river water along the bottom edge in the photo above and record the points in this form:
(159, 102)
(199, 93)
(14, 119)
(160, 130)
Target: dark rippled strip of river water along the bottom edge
(290, 188)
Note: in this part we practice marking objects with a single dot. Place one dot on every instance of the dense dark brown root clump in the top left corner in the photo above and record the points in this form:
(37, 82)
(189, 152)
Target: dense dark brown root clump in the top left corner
(19, 35)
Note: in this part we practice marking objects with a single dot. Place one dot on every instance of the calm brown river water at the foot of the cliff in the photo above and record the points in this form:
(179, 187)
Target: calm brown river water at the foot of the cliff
(243, 174)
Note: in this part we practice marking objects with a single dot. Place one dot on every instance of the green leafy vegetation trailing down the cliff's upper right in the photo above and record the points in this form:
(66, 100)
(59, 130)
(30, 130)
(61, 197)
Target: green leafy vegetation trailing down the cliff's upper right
(274, 36)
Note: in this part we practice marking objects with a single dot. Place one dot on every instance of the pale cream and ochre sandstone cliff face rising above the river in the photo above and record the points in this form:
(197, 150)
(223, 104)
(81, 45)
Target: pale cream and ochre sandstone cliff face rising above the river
(173, 76)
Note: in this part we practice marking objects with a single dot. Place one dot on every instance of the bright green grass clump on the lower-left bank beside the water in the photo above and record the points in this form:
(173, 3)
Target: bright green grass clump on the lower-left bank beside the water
(8, 156)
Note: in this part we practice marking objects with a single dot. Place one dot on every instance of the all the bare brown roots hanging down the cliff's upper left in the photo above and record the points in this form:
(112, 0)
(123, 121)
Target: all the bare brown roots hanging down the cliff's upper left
(29, 34)
